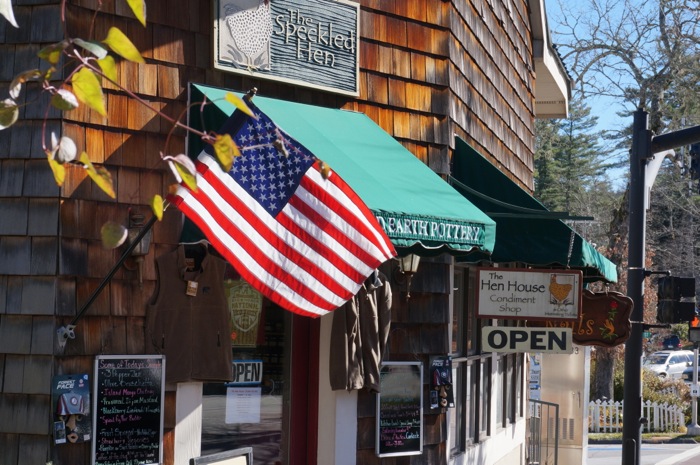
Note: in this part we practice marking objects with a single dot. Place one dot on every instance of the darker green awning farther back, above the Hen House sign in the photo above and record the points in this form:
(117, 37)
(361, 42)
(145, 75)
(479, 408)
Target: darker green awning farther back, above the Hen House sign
(526, 231)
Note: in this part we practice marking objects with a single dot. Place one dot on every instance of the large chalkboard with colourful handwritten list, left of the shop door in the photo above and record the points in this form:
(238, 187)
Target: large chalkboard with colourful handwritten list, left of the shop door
(128, 409)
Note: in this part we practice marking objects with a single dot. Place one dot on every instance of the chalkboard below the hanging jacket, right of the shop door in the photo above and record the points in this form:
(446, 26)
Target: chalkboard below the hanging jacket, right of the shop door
(400, 409)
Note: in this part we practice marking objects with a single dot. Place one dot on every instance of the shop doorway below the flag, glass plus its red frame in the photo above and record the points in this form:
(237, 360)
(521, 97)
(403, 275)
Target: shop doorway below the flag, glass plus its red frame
(267, 406)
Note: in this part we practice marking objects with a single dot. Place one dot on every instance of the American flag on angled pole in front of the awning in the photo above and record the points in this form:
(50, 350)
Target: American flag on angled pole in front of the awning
(304, 241)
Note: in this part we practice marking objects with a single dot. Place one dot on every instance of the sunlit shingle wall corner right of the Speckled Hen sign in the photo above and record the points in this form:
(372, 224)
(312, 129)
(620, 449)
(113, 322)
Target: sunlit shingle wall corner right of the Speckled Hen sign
(432, 69)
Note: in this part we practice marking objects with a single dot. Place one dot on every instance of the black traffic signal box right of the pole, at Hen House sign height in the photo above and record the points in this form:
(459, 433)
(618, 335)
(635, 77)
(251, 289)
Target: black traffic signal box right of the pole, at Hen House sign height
(676, 300)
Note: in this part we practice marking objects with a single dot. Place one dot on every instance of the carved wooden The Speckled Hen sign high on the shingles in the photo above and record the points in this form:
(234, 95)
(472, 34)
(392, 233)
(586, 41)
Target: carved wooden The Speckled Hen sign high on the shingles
(312, 43)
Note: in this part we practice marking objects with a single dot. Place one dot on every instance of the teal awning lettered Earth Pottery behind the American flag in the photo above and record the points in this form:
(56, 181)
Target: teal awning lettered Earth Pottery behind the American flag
(420, 212)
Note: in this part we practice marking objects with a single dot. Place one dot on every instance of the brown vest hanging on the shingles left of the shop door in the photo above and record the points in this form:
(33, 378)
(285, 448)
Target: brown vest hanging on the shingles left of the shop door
(192, 331)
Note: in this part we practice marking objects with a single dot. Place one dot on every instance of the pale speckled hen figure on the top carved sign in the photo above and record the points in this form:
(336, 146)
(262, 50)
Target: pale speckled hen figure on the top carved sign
(249, 23)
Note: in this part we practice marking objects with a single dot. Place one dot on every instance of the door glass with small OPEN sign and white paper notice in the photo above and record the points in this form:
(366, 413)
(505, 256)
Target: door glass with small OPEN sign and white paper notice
(249, 412)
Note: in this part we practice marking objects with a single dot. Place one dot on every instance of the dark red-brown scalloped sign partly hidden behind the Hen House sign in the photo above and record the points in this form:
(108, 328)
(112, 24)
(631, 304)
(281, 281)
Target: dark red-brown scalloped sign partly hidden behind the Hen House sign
(604, 320)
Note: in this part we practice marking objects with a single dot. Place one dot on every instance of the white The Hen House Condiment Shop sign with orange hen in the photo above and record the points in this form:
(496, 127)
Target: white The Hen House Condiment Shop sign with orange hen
(527, 294)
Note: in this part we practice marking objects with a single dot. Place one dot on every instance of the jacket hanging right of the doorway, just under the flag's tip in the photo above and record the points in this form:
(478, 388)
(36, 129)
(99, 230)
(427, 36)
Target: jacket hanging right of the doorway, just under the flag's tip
(359, 335)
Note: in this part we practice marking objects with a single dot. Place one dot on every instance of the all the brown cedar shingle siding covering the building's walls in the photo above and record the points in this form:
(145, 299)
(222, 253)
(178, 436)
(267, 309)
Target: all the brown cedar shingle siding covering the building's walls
(429, 69)
